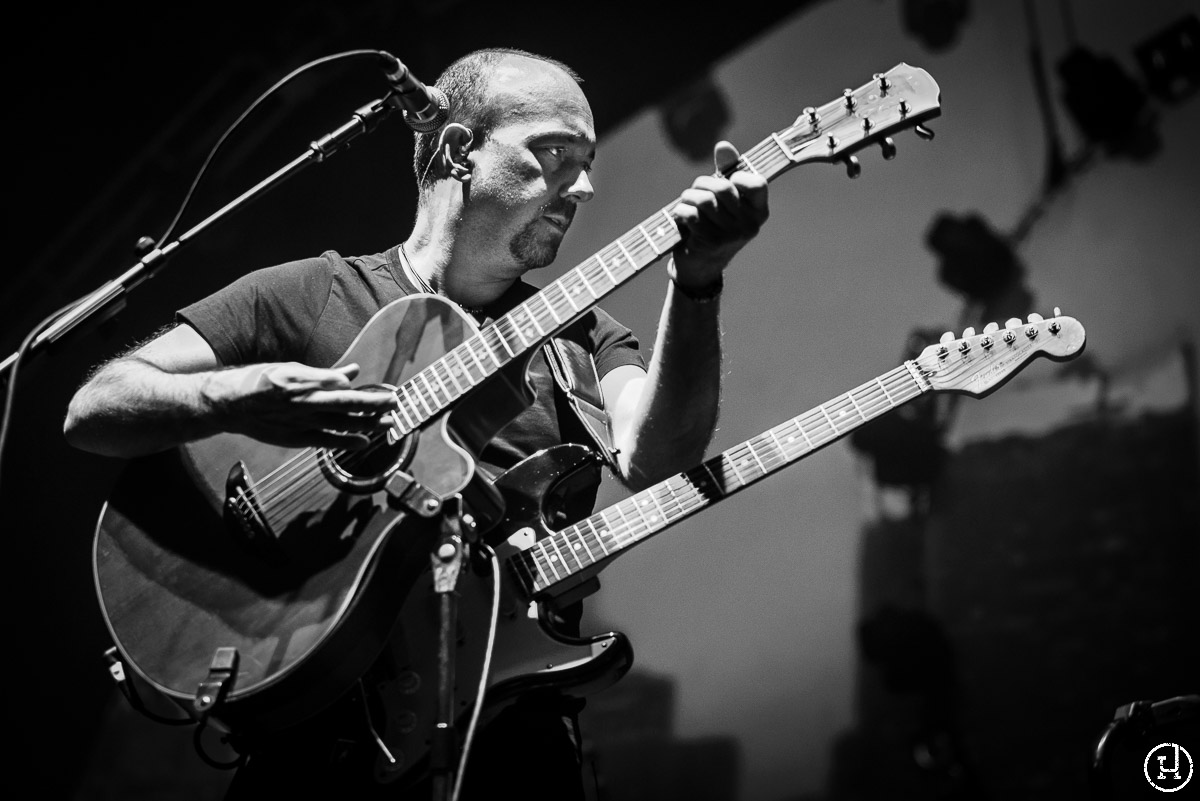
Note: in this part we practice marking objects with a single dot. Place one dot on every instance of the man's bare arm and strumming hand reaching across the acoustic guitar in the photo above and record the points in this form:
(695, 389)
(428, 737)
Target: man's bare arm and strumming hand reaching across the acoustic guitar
(173, 390)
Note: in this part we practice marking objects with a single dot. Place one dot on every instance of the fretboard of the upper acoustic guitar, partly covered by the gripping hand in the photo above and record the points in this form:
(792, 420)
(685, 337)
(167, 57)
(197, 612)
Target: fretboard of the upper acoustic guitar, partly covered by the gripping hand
(548, 314)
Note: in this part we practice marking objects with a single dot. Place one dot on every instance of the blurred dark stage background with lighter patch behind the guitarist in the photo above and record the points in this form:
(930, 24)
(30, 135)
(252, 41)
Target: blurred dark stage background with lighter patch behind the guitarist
(950, 607)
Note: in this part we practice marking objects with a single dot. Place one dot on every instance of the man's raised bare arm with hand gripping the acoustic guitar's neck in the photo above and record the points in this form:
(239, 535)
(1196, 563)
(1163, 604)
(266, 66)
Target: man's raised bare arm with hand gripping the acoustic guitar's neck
(664, 419)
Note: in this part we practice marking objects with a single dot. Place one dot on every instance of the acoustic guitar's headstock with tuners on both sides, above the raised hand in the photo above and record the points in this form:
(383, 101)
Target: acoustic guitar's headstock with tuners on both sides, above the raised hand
(903, 98)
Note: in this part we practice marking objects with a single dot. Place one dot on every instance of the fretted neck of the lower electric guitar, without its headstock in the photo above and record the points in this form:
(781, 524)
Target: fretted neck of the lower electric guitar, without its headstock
(639, 517)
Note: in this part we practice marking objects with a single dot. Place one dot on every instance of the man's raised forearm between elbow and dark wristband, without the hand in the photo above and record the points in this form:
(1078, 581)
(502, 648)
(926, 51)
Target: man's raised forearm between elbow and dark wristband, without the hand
(676, 413)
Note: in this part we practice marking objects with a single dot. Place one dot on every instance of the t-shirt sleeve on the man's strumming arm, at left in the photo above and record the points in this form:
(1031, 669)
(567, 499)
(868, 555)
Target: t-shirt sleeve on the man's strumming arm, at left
(266, 316)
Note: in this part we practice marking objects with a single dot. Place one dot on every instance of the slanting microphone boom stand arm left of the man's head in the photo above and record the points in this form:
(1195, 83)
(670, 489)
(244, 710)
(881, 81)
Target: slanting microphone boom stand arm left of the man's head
(364, 121)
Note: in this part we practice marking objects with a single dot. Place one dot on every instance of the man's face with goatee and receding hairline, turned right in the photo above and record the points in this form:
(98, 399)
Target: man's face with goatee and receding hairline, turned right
(532, 172)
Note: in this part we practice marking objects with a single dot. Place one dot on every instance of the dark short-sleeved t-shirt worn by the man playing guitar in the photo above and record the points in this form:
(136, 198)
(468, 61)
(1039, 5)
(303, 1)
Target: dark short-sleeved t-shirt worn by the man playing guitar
(310, 311)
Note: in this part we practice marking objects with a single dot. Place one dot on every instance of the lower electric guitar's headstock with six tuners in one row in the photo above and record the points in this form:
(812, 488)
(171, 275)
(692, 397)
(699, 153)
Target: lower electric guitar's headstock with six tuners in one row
(979, 364)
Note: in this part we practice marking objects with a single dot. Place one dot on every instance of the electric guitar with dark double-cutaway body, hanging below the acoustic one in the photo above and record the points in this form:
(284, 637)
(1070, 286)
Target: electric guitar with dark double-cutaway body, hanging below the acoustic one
(543, 569)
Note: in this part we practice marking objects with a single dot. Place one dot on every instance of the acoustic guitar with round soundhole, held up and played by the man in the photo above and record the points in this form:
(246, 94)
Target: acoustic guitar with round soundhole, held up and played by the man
(254, 585)
